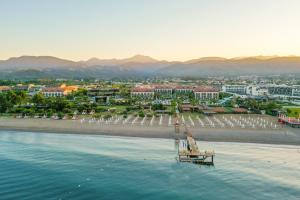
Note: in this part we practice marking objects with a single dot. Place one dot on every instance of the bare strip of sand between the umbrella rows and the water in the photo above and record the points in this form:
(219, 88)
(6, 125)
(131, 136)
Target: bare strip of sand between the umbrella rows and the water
(280, 136)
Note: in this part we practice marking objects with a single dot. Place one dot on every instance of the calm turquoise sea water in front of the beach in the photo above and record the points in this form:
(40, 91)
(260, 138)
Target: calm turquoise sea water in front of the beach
(60, 166)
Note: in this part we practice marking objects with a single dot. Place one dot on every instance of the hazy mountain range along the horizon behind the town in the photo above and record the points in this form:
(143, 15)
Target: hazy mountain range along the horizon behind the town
(140, 66)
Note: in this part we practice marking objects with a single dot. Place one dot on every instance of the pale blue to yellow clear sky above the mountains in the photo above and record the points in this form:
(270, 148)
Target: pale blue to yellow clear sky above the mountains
(163, 29)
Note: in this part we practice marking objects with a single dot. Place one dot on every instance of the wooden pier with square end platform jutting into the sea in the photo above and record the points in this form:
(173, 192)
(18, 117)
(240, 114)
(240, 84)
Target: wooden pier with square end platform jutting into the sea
(188, 150)
